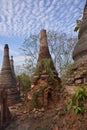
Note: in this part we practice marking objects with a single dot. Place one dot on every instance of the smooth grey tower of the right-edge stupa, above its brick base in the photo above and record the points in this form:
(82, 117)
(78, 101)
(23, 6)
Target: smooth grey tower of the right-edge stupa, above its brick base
(80, 50)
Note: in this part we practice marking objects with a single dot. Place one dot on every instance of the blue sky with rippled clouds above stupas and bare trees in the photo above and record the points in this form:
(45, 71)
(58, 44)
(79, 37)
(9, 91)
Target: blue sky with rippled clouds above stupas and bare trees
(20, 18)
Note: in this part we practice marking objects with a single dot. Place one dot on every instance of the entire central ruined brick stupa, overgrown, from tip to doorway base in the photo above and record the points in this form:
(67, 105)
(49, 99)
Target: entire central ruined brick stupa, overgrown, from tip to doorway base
(46, 84)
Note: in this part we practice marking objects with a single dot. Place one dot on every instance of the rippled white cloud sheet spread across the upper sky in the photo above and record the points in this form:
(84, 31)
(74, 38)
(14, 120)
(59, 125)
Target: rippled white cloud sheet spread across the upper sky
(22, 17)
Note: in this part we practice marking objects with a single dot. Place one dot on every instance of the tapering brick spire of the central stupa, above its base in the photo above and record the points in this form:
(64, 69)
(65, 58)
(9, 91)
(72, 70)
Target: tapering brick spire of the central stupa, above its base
(44, 58)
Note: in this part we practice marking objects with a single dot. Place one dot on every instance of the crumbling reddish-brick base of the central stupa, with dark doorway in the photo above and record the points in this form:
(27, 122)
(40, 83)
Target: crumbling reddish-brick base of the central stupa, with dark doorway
(45, 90)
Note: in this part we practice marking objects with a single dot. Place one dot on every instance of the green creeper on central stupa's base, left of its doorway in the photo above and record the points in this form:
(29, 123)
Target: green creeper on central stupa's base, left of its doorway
(38, 93)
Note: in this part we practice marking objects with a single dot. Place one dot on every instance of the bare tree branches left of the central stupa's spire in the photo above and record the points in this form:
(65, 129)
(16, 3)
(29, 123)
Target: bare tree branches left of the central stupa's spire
(30, 49)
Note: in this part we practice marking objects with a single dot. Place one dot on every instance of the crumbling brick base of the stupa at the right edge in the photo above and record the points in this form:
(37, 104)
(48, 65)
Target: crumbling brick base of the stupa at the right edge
(76, 77)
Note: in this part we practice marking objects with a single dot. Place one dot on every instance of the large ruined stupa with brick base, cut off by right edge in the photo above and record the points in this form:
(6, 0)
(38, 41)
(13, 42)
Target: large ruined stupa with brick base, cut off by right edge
(78, 73)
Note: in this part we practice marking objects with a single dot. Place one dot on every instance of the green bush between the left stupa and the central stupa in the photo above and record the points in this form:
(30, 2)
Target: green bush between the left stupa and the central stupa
(25, 81)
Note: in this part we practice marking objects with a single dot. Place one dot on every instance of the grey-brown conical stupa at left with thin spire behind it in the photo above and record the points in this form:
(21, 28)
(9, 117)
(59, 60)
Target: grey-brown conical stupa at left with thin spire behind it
(7, 78)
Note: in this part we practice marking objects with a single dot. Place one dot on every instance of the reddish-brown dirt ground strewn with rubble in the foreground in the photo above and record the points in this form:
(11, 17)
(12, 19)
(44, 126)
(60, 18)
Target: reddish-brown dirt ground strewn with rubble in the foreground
(56, 118)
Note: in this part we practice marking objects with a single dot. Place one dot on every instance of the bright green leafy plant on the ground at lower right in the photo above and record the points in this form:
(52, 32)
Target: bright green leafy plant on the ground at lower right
(76, 101)
